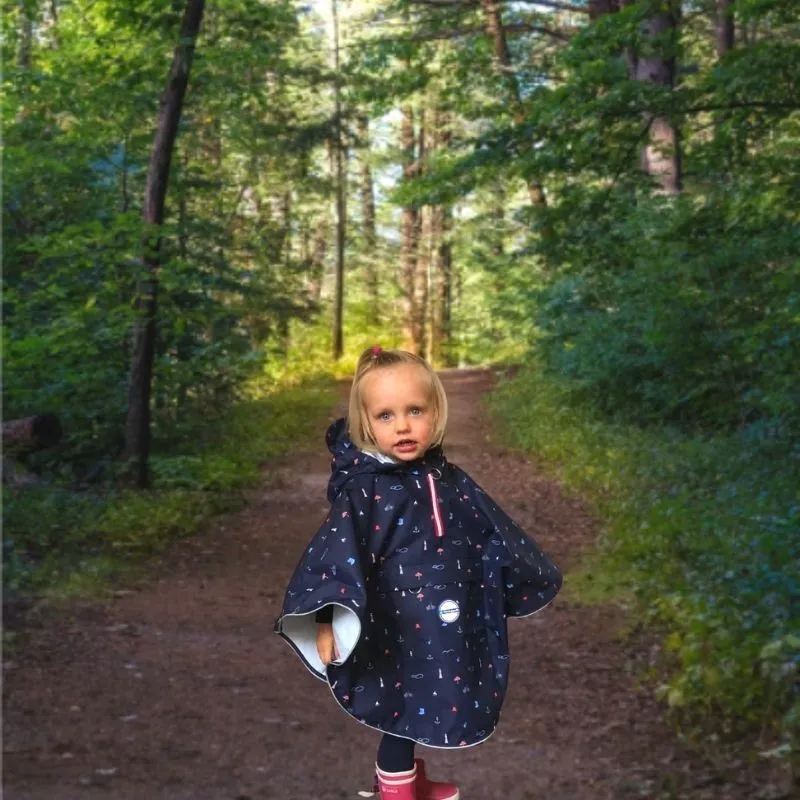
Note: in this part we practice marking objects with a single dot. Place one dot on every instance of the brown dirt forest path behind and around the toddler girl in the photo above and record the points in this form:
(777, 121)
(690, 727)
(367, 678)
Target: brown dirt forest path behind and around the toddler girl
(178, 690)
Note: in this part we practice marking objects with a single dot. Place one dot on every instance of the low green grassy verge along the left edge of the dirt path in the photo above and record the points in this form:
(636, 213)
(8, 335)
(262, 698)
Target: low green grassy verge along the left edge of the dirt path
(57, 539)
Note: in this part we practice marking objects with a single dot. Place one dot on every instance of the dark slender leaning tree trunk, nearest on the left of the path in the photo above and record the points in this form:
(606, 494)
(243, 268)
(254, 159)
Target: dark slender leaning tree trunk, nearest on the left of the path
(137, 426)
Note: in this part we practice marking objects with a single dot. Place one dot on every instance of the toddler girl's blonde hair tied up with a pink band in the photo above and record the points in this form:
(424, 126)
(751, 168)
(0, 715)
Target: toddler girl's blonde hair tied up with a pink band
(376, 358)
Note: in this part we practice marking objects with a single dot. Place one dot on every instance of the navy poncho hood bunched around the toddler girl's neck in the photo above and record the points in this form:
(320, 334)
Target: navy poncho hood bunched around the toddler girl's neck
(348, 461)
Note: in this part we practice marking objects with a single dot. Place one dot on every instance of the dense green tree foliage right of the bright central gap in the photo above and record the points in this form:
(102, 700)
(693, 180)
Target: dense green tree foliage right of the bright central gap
(678, 309)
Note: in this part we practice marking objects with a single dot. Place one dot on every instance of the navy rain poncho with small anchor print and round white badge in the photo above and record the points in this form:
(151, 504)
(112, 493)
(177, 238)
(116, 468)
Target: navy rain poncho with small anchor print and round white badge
(431, 567)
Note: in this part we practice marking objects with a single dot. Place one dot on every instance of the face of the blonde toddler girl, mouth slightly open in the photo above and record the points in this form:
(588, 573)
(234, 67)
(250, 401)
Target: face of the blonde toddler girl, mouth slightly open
(399, 407)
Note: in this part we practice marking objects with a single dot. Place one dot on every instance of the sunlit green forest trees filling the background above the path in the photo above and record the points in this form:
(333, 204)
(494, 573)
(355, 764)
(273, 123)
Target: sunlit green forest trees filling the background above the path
(611, 183)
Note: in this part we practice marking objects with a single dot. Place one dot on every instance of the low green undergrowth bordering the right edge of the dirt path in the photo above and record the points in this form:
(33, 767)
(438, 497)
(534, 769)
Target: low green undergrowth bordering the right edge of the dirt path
(704, 532)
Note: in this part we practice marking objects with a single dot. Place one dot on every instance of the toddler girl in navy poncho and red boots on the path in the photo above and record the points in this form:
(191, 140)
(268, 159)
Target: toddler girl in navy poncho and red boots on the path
(400, 600)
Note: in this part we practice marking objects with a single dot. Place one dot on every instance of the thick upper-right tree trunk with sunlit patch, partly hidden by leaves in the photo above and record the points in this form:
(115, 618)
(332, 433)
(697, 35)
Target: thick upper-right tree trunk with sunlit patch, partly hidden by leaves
(661, 156)
